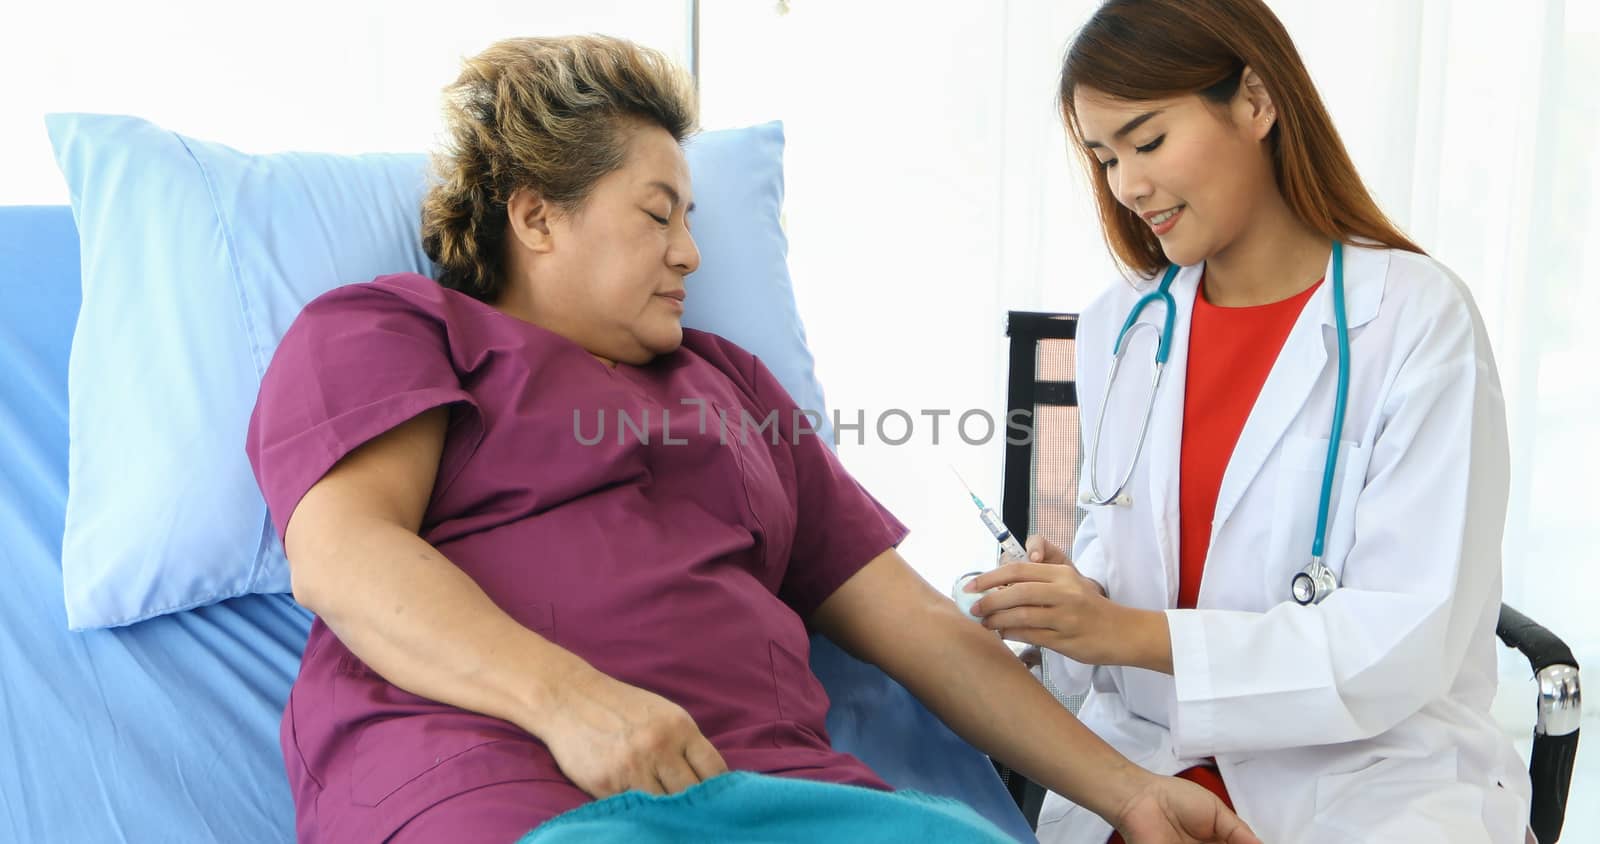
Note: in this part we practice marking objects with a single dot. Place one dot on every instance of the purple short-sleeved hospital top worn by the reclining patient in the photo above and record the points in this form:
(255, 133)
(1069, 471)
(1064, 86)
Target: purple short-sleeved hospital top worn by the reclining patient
(673, 552)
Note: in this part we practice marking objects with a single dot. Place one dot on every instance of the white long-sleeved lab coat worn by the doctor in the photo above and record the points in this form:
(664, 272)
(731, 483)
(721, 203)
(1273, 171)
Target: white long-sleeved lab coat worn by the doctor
(1366, 719)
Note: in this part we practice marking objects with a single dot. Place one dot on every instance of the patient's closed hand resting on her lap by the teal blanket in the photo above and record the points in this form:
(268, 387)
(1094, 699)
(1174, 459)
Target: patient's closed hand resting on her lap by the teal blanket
(612, 738)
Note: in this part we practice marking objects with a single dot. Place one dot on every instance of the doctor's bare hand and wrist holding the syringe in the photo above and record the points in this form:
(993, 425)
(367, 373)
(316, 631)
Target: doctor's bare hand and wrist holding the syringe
(1050, 605)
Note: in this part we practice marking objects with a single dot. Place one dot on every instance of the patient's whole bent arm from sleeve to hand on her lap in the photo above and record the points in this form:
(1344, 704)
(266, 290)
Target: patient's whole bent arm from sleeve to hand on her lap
(417, 619)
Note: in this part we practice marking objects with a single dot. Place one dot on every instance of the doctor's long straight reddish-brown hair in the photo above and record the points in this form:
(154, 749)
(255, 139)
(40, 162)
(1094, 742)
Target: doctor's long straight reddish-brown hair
(1146, 50)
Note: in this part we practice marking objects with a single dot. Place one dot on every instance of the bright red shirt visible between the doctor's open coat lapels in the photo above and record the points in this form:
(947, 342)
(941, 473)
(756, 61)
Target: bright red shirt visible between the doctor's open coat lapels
(1231, 351)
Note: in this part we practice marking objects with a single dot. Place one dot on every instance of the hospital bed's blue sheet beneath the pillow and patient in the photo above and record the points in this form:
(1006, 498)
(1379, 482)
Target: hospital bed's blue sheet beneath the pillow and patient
(167, 731)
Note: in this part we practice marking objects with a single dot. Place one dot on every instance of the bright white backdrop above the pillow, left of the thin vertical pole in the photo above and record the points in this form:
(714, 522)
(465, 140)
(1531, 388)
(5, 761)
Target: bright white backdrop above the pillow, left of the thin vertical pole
(329, 76)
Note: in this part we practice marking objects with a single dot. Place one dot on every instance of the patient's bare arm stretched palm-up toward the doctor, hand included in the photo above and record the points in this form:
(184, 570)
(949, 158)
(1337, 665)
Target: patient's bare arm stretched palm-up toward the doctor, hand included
(887, 615)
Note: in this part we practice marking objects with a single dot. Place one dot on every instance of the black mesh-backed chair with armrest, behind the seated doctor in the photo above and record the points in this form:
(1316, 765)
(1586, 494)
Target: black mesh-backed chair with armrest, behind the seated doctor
(1041, 498)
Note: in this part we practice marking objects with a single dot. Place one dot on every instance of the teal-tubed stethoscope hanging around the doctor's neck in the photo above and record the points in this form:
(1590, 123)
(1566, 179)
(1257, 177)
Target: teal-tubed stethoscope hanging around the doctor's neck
(1316, 581)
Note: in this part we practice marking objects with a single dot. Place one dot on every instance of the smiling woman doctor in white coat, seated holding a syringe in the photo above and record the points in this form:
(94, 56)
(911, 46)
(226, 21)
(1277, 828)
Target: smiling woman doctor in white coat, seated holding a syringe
(1351, 704)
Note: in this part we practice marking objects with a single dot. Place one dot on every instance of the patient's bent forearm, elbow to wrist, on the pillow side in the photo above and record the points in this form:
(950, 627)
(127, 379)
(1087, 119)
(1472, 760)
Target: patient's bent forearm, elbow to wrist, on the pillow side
(425, 626)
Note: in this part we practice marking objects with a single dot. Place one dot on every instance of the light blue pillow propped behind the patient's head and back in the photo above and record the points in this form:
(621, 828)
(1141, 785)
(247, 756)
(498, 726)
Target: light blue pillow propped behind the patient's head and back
(198, 258)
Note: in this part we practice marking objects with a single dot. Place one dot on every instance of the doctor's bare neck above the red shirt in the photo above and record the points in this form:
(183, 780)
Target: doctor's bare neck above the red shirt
(1276, 257)
